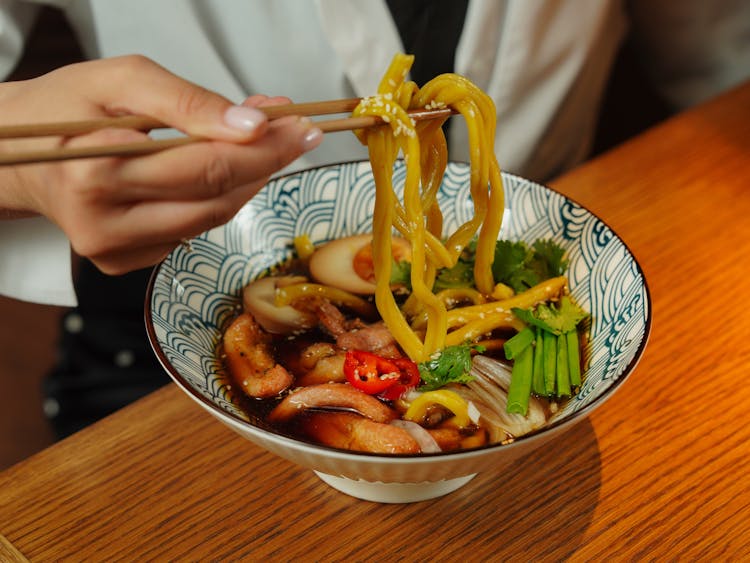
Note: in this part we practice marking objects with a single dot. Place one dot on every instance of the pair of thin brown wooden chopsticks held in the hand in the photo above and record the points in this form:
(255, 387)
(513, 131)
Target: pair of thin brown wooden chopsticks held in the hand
(72, 128)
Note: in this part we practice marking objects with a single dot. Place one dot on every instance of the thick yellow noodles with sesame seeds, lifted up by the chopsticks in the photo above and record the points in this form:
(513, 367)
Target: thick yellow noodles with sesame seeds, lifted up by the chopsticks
(417, 217)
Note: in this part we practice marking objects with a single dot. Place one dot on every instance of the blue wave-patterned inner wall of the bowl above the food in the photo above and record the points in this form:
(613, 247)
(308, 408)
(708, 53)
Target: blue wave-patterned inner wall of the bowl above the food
(195, 292)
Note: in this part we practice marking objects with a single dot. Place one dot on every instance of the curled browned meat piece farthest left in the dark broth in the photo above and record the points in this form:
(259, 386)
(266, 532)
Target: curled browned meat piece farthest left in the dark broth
(250, 360)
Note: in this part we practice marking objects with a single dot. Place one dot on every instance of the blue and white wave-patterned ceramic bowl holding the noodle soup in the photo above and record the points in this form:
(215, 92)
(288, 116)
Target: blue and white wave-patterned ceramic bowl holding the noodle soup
(194, 292)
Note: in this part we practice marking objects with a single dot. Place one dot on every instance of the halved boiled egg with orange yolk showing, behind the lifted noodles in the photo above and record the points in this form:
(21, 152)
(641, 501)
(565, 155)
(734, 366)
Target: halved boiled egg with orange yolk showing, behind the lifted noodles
(346, 263)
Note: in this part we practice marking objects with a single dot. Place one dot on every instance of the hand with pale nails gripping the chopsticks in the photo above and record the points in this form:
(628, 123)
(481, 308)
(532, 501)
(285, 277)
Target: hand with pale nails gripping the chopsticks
(128, 213)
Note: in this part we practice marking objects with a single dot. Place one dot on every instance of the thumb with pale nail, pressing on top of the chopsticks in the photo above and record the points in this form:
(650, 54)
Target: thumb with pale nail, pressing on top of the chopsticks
(136, 85)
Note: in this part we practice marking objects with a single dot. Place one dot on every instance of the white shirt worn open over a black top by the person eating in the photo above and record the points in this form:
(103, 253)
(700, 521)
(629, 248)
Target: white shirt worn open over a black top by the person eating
(544, 63)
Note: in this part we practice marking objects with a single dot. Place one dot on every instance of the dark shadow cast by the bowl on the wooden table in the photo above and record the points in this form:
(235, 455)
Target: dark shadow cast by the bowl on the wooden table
(540, 507)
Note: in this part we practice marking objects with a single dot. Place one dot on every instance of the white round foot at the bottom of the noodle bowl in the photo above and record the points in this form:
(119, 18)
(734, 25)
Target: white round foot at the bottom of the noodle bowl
(394, 492)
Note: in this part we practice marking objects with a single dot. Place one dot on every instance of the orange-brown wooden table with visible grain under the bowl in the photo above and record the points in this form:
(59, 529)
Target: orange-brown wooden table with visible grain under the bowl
(661, 471)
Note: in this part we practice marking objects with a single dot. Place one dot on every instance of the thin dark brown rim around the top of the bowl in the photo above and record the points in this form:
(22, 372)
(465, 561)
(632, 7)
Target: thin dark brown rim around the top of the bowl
(233, 419)
